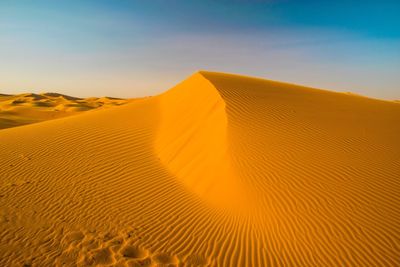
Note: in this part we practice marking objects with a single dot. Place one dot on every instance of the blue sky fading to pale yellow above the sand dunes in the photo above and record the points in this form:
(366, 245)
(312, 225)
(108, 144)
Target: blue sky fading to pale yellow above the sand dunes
(134, 48)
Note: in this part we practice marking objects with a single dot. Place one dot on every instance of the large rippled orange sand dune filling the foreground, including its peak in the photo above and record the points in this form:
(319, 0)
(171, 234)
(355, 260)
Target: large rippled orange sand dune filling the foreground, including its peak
(221, 170)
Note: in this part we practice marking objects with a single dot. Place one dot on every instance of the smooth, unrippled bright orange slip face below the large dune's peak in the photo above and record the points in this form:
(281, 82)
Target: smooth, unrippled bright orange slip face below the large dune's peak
(192, 141)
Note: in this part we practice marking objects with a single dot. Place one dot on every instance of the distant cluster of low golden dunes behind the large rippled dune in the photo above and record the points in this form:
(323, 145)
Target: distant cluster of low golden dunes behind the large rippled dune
(16, 110)
